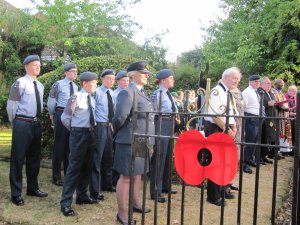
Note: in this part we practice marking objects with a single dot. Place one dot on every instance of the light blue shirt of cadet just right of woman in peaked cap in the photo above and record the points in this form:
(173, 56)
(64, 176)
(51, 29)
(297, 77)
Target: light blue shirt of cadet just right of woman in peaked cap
(166, 105)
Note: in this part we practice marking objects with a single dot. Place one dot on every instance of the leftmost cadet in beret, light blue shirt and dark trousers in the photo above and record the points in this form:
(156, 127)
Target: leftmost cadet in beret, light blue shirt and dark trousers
(24, 108)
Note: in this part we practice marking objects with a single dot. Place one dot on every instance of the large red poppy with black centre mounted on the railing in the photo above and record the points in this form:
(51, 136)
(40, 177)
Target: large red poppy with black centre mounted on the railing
(214, 157)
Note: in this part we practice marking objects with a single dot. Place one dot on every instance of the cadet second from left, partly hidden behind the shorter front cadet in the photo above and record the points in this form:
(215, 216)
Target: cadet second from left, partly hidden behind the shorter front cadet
(59, 94)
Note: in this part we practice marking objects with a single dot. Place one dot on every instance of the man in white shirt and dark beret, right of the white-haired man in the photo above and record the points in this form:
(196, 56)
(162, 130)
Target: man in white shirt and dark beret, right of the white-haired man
(252, 107)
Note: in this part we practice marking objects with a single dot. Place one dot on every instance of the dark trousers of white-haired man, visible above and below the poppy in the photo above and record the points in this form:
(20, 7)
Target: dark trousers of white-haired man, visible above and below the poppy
(213, 190)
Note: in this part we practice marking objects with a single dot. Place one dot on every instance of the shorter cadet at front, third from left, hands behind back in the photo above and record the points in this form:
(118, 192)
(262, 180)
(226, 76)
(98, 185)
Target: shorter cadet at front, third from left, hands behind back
(79, 118)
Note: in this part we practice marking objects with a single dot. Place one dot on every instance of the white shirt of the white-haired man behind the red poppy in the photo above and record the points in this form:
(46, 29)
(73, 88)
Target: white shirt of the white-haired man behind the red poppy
(218, 102)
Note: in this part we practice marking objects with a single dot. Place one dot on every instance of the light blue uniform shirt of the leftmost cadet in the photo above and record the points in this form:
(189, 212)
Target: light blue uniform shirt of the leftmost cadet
(22, 100)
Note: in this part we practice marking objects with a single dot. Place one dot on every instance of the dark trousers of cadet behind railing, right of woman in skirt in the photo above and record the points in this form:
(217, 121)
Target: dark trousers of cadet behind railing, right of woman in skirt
(163, 172)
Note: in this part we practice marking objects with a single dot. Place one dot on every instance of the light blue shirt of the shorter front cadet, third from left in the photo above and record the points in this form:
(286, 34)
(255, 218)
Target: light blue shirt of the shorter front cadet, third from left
(76, 112)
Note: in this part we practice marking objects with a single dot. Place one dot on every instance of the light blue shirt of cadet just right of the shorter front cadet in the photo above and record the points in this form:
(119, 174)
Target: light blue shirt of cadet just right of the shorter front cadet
(102, 103)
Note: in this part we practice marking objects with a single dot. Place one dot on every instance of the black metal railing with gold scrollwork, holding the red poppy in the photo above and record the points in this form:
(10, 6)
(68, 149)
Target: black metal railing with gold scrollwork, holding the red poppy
(185, 114)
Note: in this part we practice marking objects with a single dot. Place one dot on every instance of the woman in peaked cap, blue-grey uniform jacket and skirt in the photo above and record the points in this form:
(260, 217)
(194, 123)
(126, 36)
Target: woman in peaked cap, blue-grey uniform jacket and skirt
(122, 124)
